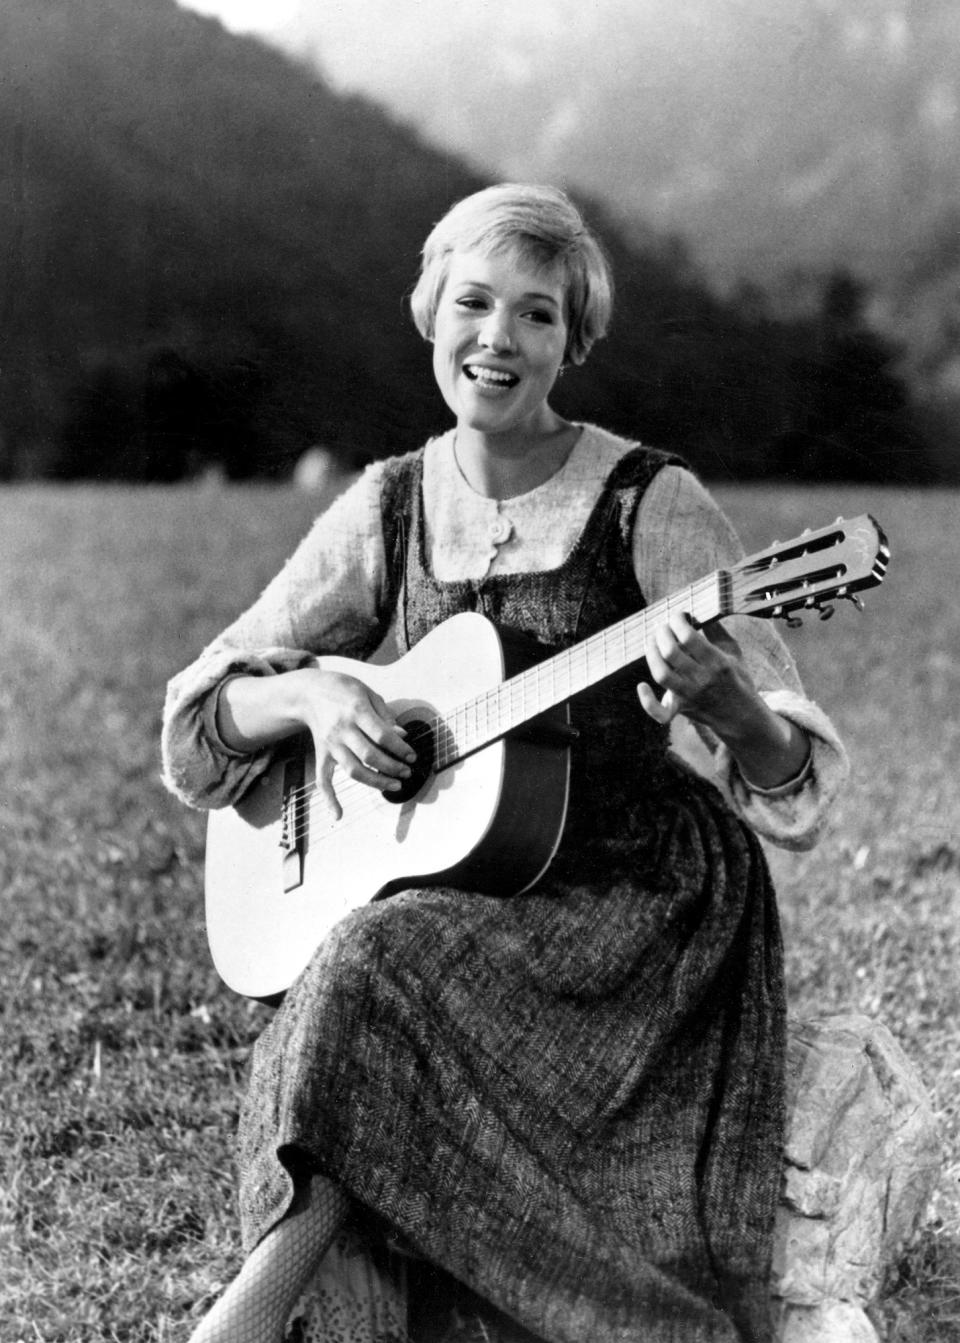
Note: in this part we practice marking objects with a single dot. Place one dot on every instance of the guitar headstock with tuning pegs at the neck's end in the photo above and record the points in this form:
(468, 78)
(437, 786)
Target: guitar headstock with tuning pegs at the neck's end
(817, 569)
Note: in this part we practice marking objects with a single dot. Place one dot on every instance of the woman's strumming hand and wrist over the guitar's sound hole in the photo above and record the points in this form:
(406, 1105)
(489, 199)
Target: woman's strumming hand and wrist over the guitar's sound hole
(351, 726)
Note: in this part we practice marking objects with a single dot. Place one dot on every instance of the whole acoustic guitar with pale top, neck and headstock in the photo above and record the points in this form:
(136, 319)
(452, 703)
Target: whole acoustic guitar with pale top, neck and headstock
(487, 802)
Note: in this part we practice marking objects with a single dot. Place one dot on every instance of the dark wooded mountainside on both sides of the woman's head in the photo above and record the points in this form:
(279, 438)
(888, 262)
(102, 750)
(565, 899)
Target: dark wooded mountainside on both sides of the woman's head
(205, 252)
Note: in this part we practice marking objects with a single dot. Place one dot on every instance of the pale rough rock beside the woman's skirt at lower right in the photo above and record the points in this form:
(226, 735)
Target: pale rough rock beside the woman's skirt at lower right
(863, 1158)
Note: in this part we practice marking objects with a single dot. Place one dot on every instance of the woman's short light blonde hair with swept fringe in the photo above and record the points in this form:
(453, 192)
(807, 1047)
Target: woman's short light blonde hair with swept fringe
(540, 226)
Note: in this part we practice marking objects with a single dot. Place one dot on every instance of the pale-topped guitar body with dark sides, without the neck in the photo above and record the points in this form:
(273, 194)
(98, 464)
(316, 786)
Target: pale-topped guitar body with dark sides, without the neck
(280, 874)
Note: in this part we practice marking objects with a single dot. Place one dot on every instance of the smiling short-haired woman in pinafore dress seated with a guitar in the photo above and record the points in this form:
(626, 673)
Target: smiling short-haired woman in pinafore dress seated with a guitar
(571, 1099)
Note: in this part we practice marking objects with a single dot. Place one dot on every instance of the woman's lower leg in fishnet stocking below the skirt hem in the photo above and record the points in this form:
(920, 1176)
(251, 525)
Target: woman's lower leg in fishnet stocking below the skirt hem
(258, 1302)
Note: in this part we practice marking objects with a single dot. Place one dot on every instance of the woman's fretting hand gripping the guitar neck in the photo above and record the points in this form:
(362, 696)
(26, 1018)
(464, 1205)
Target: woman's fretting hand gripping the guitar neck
(702, 676)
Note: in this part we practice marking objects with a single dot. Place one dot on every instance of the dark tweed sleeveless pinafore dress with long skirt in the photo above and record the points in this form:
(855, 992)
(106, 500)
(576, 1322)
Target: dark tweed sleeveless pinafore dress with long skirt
(570, 1099)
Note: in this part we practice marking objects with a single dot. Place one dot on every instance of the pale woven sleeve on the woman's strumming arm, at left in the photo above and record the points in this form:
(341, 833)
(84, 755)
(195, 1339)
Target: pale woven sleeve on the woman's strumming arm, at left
(328, 598)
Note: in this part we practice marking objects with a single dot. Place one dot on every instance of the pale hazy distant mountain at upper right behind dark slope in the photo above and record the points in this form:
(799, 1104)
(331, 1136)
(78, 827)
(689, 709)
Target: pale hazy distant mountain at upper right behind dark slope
(778, 139)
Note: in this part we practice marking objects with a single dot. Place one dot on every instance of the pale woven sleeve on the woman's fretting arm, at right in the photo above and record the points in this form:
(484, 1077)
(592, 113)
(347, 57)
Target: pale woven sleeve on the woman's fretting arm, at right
(681, 535)
